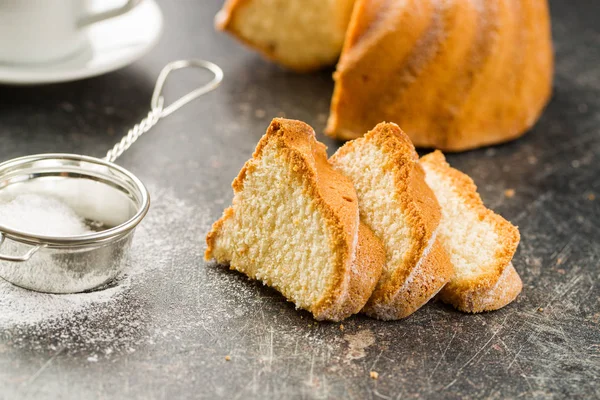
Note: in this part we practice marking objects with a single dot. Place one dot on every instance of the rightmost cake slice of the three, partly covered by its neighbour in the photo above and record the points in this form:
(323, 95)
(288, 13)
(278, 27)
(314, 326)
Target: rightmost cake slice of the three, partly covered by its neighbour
(480, 243)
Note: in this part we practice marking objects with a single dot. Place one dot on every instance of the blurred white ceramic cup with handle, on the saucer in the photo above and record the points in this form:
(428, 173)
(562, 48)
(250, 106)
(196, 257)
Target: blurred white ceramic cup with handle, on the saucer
(41, 31)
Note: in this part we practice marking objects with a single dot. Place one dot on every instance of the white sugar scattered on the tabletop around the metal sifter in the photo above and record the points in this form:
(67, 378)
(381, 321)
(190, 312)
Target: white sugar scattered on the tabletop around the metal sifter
(117, 319)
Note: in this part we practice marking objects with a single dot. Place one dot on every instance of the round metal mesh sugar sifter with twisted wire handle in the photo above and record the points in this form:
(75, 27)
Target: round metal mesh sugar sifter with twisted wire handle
(97, 190)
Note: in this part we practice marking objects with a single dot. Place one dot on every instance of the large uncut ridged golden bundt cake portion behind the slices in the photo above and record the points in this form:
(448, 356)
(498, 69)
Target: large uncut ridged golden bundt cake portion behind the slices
(455, 74)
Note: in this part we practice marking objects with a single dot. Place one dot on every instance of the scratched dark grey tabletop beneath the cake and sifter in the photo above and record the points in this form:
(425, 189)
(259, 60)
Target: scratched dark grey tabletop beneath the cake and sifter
(172, 327)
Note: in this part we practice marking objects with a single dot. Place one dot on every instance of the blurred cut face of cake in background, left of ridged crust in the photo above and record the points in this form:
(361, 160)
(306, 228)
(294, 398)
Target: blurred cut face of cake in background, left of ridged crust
(302, 35)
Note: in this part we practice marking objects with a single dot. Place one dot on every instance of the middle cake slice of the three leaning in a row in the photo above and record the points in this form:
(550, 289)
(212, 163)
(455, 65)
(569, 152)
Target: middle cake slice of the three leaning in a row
(396, 203)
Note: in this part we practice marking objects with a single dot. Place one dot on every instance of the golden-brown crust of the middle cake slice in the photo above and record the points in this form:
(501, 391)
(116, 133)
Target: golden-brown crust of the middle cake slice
(426, 266)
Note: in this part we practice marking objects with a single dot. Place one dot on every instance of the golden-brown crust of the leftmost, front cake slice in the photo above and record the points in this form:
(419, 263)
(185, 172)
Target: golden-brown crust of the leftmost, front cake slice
(360, 258)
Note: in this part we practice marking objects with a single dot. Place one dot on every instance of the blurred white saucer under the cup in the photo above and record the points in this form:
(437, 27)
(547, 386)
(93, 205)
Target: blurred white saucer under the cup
(112, 44)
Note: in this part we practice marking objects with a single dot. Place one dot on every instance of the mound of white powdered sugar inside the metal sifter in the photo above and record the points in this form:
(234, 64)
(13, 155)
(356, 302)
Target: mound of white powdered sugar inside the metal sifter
(41, 215)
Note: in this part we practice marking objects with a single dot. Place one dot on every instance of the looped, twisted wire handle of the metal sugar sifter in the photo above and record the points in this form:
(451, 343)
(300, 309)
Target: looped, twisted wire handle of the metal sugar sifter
(157, 108)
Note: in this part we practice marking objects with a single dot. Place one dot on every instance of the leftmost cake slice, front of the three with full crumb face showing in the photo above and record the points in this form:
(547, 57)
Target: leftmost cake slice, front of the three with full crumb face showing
(294, 225)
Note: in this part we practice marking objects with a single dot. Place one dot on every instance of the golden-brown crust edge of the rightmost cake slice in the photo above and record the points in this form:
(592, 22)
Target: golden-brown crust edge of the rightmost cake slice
(501, 284)
